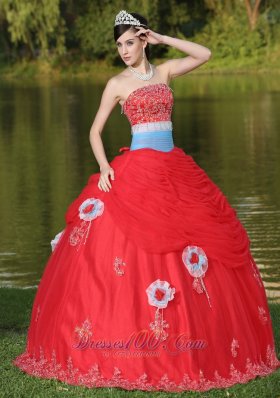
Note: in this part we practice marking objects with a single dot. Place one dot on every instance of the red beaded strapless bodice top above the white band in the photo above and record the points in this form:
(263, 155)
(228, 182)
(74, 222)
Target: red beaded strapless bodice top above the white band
(151, 103)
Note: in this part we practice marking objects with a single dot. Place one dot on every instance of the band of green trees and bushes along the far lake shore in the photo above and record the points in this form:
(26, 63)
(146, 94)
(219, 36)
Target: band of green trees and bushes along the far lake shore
(69, 31)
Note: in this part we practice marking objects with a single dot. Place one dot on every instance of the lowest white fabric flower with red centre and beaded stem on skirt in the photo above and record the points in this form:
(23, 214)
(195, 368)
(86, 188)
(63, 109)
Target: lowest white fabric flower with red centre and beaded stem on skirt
(159, 294)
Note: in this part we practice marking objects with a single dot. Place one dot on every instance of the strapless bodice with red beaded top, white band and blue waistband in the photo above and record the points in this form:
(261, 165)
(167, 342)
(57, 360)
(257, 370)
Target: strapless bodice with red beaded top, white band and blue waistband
(148, 110)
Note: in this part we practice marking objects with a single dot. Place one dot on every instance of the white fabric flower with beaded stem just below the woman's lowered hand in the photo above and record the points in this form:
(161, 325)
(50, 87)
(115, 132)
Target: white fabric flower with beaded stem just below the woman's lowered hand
(88, 211)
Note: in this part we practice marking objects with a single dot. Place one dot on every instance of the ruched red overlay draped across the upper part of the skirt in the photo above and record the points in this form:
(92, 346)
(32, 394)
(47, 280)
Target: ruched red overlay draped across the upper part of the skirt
(163, 201)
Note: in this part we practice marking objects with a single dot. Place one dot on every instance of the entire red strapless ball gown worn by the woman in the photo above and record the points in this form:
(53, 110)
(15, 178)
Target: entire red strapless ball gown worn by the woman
(151, 285)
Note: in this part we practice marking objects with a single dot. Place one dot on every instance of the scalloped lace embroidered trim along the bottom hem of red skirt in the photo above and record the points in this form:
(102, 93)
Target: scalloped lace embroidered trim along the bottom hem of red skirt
(47, 366)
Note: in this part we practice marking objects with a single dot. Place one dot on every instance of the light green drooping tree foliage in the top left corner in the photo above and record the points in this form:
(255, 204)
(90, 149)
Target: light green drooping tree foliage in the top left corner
(38, 25)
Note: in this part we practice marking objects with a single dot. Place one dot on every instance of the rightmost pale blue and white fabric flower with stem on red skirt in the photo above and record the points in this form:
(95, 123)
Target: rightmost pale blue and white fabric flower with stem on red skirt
(196, 263)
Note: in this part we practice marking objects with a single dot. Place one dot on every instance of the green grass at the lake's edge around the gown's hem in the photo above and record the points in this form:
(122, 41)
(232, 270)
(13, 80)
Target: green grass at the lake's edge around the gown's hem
(16, 305)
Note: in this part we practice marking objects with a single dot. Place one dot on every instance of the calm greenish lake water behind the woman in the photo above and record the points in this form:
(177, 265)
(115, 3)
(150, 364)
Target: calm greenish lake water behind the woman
(229, 124)
